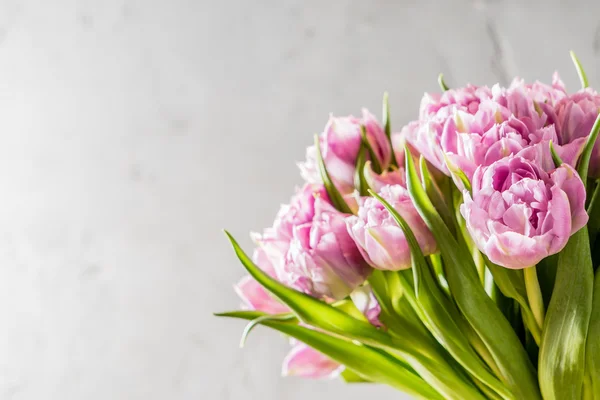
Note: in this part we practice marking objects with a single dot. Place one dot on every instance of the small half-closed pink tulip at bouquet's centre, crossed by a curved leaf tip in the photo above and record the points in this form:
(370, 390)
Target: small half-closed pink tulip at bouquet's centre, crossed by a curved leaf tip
(378, 236)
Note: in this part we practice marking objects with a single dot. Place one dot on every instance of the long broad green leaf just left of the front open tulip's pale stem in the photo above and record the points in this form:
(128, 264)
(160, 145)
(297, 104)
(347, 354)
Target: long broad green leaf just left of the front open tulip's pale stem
(480, 311)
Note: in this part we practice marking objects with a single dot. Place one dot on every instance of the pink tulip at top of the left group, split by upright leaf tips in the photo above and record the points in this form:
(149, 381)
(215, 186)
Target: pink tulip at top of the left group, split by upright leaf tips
(340, 143)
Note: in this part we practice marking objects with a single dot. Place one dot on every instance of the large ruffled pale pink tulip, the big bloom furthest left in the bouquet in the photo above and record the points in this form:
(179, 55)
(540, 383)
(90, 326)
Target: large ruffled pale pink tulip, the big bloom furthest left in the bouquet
(310, 248)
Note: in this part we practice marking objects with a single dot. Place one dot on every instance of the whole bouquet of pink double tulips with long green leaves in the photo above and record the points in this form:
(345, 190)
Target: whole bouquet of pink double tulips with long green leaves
(455, 258)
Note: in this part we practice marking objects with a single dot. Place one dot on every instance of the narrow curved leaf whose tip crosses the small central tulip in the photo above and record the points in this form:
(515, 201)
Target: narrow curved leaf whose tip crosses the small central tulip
(439, 313)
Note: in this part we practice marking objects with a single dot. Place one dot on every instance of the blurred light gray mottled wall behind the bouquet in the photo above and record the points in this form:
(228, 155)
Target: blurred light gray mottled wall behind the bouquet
(133, 131)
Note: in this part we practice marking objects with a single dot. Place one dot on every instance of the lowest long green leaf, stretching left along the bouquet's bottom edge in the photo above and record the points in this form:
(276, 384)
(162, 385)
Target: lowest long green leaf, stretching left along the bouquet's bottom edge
(368, 363)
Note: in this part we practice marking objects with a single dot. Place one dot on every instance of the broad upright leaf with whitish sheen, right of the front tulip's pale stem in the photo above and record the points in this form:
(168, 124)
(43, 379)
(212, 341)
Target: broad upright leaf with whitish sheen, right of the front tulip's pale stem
(562, 352)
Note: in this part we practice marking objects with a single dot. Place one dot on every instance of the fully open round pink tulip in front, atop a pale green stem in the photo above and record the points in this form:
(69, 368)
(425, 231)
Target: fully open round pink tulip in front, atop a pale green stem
(519, 214)
